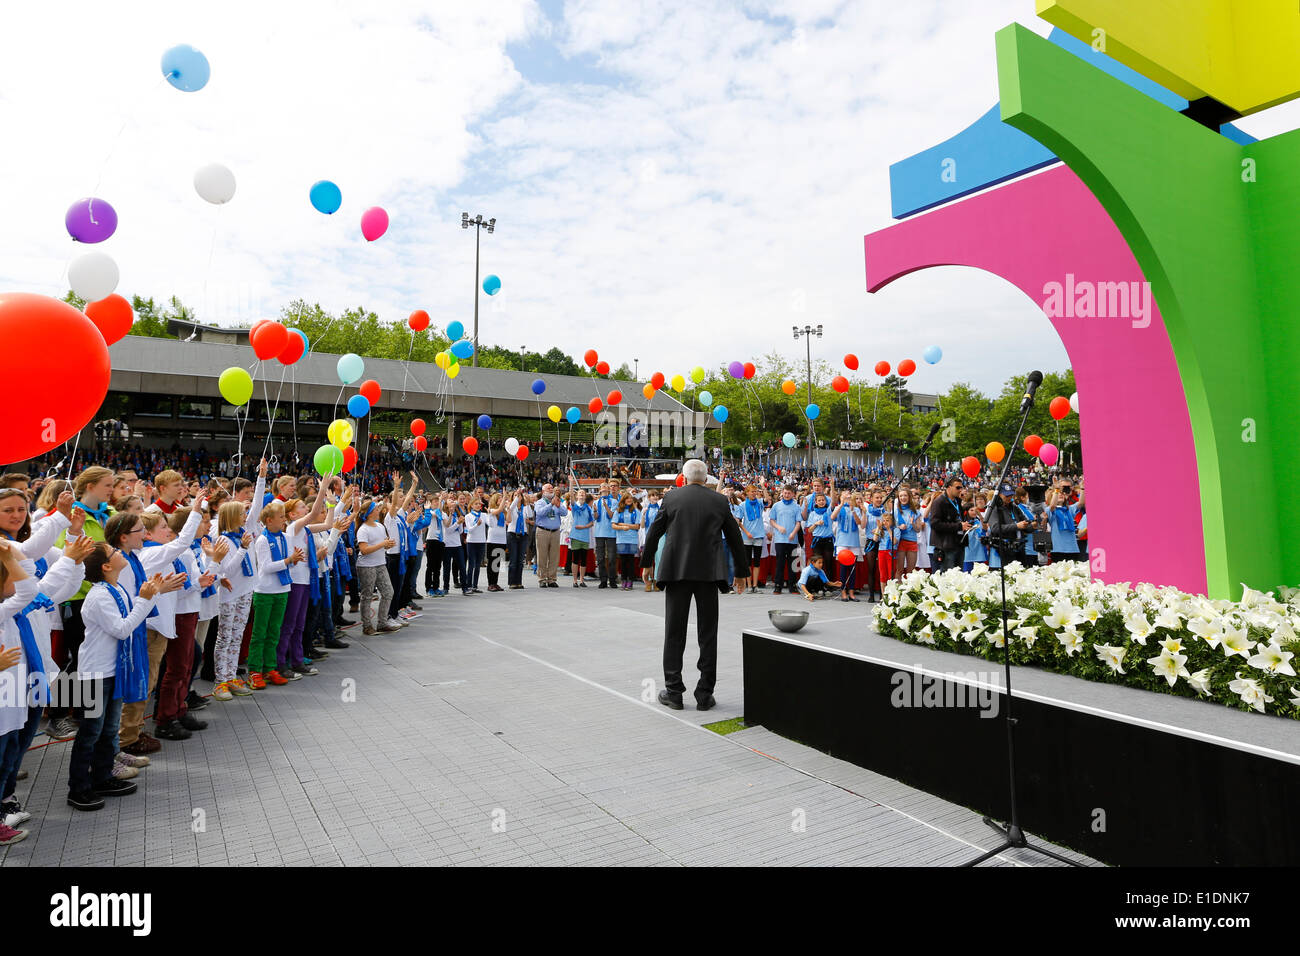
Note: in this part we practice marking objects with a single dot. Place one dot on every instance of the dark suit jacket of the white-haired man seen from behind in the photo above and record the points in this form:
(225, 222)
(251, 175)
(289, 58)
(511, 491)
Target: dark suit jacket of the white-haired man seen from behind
(695, 521)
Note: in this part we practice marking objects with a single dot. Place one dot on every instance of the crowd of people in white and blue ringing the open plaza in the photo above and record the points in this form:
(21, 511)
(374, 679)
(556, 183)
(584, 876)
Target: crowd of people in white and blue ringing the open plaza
(119, 591)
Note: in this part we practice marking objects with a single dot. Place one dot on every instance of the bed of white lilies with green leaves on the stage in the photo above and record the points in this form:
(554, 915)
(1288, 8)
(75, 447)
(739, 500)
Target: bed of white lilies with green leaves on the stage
(1238, 654)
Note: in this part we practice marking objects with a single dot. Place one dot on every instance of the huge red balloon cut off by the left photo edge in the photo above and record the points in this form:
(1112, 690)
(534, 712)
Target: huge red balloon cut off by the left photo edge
(51, 400)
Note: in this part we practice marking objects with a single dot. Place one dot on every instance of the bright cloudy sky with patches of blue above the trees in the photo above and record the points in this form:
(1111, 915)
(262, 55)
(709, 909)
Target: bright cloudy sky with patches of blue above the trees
(674, 183)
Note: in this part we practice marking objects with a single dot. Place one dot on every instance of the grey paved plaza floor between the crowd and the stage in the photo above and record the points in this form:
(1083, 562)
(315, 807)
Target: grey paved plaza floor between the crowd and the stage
(501, 729)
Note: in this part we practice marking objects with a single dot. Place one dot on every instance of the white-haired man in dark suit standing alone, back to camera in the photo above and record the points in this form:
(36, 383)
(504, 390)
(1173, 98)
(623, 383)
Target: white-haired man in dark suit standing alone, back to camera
(692, 524)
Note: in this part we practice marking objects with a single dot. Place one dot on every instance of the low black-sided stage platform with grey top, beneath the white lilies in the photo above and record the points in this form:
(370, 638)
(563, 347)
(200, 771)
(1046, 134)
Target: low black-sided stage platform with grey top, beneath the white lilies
(1128, 777)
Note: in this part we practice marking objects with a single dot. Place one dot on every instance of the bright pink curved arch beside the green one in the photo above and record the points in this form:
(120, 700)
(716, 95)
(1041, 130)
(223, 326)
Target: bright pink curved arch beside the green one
(1134, 426)
